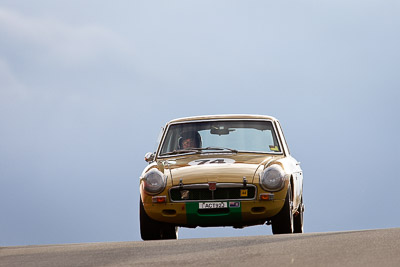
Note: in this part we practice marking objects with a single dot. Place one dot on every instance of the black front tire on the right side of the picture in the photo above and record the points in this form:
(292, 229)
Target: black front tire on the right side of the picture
(282, 223)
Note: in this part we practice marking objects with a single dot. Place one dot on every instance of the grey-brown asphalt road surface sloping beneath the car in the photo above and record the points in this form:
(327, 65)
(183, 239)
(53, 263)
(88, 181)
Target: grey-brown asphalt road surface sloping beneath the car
(352, 248)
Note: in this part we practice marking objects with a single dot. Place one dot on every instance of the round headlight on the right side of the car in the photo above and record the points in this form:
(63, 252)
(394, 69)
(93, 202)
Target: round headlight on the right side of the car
(272, 178)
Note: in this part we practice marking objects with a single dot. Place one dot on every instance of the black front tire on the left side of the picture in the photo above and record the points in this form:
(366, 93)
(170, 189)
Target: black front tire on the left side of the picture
(154, 230)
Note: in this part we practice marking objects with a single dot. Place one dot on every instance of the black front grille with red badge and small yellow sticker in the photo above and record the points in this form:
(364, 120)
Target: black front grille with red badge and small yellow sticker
(202, 192)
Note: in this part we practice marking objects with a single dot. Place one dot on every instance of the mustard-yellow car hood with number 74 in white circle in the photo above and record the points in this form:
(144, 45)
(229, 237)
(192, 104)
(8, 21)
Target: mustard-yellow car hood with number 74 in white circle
(220, 168)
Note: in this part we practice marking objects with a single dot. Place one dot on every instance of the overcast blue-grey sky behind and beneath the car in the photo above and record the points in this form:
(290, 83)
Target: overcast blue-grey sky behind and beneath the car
(85, 87)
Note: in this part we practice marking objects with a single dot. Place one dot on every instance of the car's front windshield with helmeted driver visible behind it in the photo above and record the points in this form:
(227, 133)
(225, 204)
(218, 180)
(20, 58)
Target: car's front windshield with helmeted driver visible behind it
(229, 135)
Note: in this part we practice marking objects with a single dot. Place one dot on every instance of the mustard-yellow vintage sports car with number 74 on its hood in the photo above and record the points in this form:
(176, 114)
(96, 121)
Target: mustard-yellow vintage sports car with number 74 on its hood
(221, 170)
